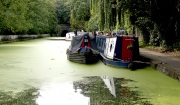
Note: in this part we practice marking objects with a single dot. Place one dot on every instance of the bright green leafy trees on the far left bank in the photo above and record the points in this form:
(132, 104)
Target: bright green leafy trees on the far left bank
(27, 16)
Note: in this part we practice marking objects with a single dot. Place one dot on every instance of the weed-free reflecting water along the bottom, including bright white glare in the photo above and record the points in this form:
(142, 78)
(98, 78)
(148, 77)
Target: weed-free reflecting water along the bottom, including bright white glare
(95, 90)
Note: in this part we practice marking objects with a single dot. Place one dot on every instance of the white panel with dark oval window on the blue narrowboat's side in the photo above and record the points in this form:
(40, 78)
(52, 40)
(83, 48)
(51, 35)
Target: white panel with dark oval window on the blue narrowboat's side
(110, 47)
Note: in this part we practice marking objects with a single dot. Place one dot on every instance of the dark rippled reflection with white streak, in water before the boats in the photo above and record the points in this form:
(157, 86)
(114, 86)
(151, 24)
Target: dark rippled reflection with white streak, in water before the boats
(109, 91)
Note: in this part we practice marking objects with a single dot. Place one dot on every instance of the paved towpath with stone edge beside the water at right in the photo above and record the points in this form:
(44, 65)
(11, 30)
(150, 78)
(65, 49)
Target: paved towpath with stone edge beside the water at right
(165, 63)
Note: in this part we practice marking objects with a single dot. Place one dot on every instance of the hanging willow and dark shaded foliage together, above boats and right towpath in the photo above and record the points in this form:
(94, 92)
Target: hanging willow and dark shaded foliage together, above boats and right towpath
(155, 19)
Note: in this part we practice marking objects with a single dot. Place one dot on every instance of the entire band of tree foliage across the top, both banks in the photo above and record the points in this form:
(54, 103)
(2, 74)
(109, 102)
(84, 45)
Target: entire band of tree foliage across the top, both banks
(43, 16)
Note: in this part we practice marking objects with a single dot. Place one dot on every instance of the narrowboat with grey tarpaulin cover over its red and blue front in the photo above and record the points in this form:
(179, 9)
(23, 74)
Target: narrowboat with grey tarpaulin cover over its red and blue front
(83, 49)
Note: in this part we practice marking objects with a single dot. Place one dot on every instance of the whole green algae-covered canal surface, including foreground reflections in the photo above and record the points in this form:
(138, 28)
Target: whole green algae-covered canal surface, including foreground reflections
(36, 72)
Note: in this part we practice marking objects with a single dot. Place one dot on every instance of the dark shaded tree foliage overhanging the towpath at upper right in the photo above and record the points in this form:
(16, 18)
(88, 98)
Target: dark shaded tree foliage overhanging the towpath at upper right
(156, 17)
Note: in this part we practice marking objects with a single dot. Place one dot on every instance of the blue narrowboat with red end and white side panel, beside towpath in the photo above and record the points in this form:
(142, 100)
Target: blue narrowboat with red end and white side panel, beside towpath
(118, 51)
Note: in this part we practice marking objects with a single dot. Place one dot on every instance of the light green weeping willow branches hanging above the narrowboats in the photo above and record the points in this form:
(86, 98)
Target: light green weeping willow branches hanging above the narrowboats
(111, 15)
